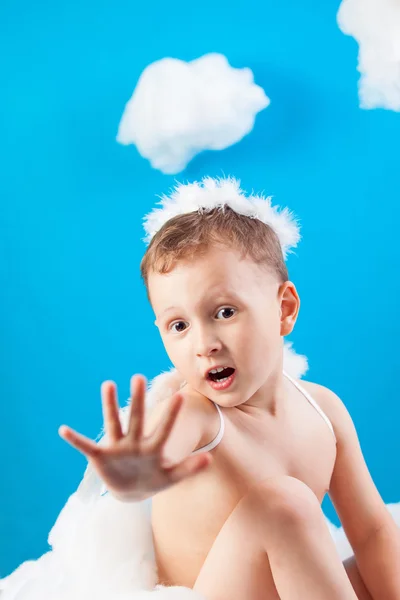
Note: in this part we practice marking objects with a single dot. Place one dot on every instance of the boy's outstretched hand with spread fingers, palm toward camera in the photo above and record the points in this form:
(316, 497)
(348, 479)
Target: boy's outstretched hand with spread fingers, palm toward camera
(132, 466)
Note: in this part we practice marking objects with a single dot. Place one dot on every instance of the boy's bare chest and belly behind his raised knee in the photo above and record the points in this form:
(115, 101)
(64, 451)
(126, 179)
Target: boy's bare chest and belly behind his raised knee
(188, 517)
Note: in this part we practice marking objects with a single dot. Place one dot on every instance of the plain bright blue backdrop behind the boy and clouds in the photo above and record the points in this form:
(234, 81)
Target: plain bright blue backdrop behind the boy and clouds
(73, 308)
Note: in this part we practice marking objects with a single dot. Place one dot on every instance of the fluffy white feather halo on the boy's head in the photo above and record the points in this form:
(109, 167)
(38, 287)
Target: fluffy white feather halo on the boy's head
(213, 193)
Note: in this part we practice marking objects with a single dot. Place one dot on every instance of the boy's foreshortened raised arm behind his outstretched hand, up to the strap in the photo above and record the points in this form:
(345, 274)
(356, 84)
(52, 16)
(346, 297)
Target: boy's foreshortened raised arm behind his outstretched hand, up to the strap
(191, 429)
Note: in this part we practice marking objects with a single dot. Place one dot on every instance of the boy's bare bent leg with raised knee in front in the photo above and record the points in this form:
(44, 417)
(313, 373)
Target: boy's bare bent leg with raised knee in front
(275, 545)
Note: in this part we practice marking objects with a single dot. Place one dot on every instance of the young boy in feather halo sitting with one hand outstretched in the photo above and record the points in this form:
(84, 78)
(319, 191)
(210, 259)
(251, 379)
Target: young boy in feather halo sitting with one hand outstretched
(238, 463)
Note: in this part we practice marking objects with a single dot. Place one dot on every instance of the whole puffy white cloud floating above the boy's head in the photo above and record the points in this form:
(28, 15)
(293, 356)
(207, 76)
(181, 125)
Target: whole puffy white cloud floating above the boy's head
(180, 108)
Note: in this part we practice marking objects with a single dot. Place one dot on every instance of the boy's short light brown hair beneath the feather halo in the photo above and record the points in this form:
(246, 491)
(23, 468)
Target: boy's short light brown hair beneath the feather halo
(189, 235)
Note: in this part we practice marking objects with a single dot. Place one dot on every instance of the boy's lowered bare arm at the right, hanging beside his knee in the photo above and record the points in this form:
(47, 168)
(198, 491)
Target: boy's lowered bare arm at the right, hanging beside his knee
(369, 526)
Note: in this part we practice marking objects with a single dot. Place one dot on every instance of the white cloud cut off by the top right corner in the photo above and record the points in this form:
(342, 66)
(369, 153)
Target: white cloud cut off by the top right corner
(375, 24)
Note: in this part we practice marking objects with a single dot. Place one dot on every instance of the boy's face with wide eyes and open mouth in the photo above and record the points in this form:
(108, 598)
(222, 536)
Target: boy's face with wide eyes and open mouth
(226, 311)
